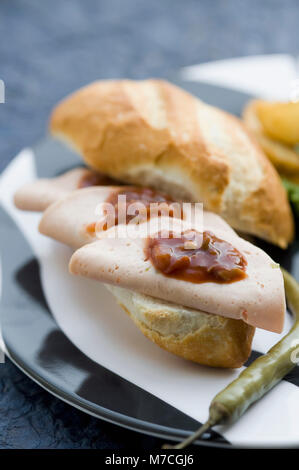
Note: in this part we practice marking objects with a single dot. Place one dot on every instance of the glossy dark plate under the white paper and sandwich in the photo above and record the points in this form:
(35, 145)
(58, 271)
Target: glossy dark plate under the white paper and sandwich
(37, 345)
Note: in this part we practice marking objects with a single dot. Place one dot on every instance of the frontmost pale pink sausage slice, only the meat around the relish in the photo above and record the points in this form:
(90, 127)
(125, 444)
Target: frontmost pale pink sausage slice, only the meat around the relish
(258, 299)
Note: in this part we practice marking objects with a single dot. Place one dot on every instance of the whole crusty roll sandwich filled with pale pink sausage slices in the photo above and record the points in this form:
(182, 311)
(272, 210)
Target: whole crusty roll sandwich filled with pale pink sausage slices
(155, 135)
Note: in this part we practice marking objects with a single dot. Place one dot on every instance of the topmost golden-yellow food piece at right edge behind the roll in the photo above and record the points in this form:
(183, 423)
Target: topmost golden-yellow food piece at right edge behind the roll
(280, 120)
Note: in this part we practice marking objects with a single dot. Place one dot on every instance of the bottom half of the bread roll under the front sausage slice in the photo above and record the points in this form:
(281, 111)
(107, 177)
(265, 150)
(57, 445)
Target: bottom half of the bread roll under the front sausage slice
(200, 337)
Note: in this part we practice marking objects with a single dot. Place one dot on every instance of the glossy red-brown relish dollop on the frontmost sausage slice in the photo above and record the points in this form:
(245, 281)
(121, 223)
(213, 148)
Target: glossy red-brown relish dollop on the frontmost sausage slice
(196, 257)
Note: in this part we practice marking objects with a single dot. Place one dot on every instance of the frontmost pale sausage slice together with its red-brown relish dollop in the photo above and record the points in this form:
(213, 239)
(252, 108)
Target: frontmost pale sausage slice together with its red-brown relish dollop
(128, 262)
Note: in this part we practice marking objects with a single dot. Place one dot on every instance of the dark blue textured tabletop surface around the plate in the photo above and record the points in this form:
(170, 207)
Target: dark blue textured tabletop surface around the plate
(49, 48)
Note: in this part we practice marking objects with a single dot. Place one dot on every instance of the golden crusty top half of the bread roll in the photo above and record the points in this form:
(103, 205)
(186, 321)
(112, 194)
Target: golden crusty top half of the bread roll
(154, 133)
